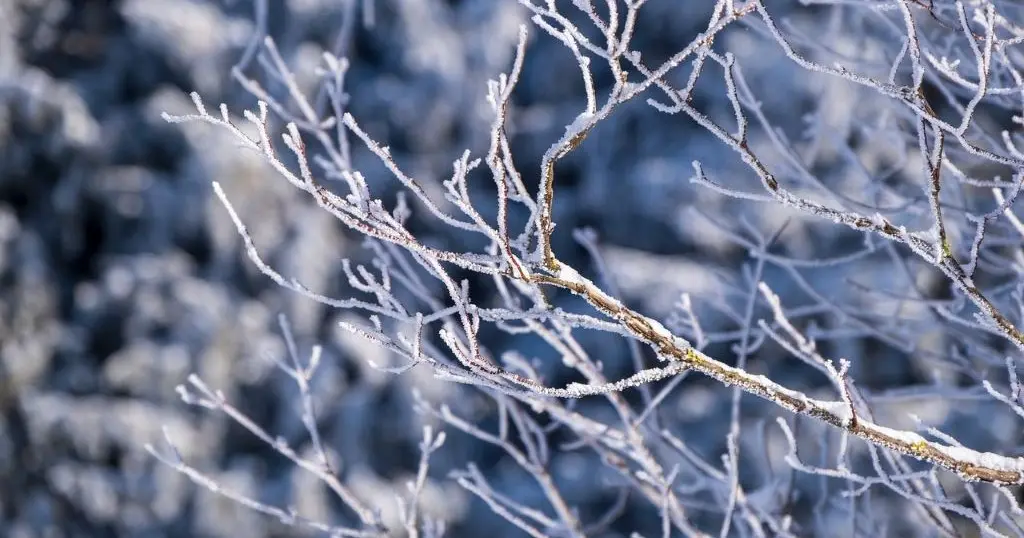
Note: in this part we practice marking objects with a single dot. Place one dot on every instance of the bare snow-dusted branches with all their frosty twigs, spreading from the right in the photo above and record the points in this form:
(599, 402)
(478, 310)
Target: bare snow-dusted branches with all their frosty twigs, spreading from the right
(417, 302)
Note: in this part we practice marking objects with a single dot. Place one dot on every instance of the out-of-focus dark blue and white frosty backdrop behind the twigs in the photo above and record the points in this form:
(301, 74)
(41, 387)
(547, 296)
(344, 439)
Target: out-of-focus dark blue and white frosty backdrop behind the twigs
(121, 274)
